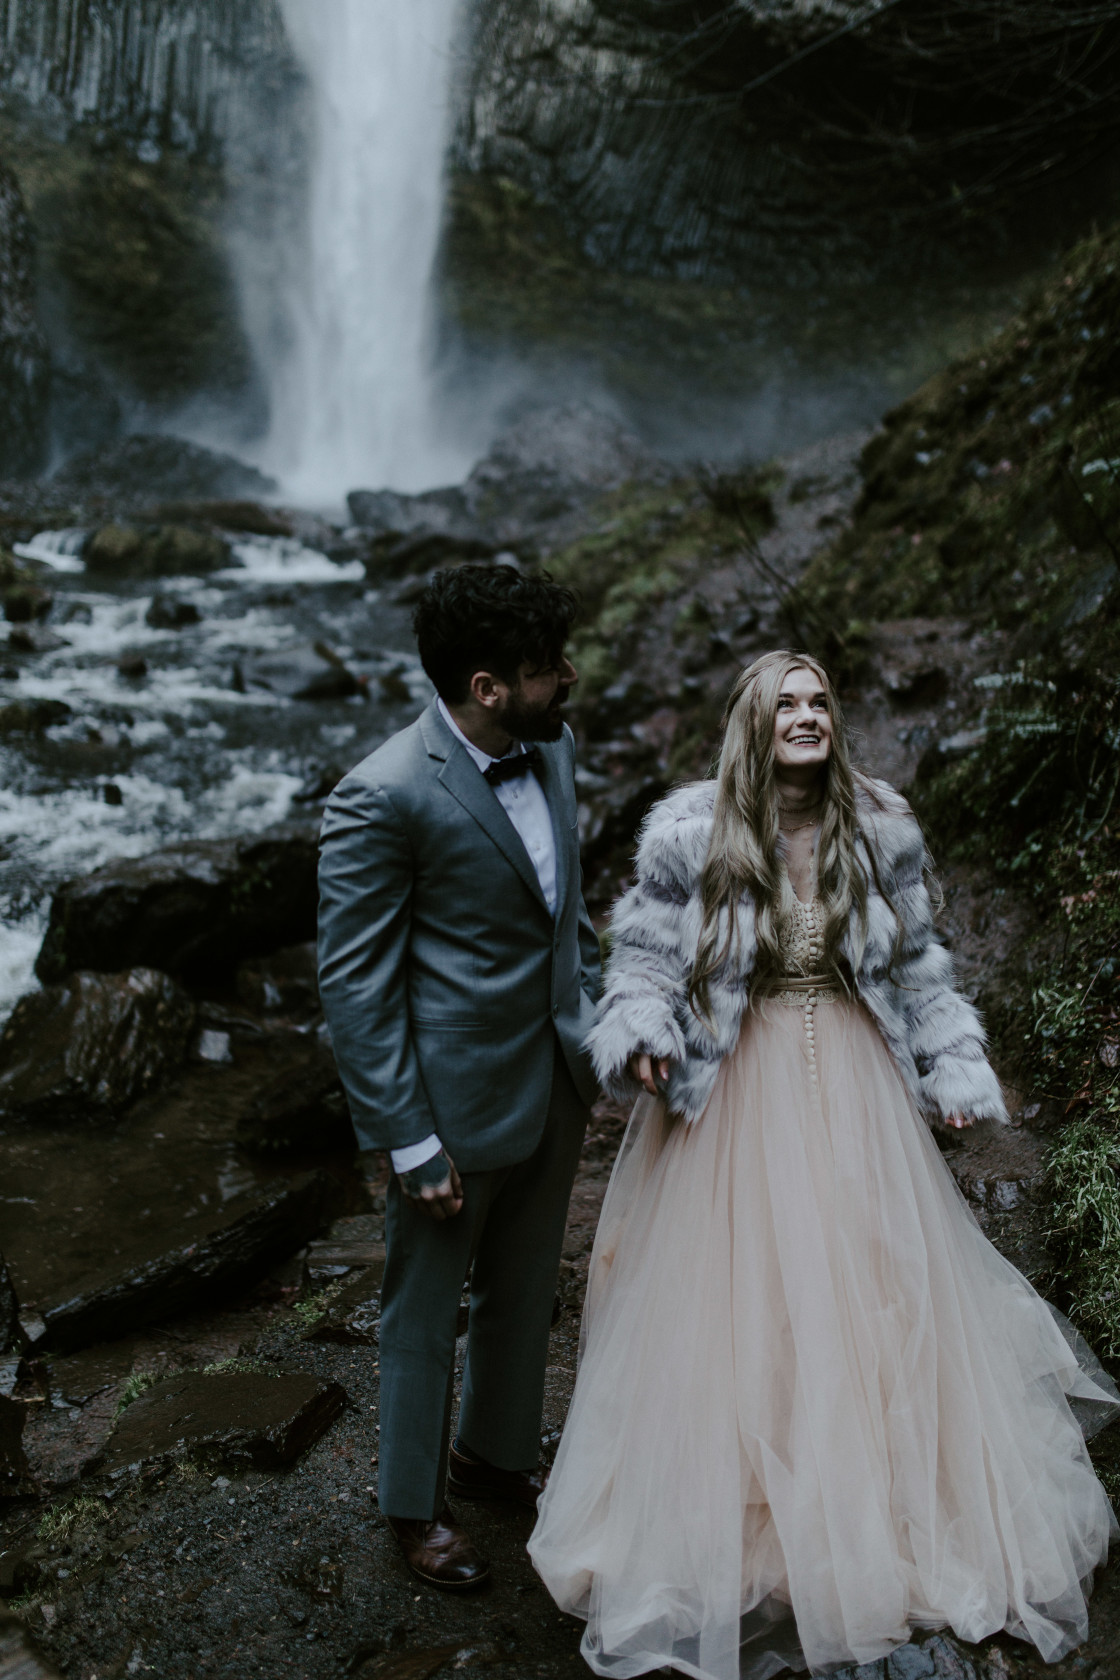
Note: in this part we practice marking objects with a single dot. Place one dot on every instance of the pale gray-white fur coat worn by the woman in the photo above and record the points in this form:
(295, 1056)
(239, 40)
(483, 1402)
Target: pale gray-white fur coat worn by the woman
(933, 1032)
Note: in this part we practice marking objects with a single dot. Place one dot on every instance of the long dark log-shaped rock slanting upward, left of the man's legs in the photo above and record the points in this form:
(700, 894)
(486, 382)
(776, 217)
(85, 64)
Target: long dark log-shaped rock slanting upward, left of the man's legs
(229, 1254)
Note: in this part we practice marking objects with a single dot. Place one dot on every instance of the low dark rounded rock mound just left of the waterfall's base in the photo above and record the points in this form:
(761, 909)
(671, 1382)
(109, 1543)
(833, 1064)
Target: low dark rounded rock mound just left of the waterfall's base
(140, 470)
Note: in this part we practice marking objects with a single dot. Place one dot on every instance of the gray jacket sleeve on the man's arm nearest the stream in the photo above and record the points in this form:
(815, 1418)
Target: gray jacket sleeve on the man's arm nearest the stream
(365, 903)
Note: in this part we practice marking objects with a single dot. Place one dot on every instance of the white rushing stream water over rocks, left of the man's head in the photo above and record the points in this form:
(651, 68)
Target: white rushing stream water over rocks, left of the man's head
(196, 747)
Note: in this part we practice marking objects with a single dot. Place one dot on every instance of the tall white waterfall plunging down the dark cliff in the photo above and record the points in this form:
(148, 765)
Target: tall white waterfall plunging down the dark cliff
(352, 389)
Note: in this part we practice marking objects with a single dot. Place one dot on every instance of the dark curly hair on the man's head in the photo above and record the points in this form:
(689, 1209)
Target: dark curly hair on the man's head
(489, 619)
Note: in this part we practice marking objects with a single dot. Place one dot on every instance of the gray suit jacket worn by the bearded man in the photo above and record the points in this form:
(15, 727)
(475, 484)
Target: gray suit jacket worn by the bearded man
(446, 980)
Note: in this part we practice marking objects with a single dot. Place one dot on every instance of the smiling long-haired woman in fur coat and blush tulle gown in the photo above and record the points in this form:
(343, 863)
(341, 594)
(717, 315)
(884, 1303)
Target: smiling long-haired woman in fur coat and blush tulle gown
(809, 1383)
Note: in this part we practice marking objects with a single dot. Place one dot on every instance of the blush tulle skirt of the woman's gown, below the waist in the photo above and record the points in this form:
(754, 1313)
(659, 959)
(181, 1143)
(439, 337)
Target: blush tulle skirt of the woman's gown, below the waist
(815, 1407)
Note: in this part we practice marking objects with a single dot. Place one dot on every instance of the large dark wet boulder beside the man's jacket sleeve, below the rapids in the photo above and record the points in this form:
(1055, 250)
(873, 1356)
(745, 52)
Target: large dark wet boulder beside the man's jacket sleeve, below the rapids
(194, 910)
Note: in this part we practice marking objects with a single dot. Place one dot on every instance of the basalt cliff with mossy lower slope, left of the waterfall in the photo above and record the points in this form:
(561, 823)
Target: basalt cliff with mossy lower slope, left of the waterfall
(137, 135)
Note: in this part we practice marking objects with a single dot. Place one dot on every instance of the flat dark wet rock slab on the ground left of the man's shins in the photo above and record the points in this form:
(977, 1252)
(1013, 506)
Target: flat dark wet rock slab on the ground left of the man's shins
(259, 1420)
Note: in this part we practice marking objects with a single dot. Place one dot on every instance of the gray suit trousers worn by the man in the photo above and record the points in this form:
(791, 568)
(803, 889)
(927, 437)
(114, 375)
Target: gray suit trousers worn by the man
(511, 1227)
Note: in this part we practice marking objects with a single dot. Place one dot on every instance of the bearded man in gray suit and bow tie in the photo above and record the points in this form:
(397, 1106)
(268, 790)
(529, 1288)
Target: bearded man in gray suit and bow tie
(459, 977)
